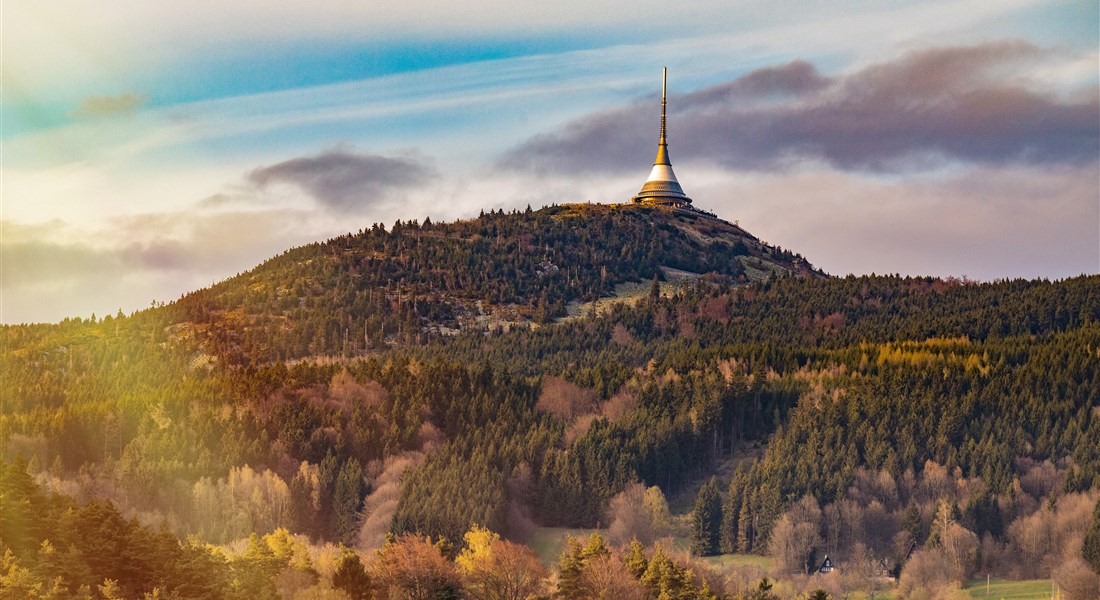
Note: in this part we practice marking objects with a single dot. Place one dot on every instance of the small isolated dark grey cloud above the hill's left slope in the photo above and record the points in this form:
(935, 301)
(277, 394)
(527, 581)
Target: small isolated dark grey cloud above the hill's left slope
(345, 180)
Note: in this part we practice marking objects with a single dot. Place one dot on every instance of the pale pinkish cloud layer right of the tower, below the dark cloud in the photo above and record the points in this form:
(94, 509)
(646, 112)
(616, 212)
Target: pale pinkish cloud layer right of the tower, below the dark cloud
(986, 223)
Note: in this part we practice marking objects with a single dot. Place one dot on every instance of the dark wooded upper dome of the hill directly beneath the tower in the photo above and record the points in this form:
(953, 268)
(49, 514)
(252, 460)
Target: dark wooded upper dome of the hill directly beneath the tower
(414, 282)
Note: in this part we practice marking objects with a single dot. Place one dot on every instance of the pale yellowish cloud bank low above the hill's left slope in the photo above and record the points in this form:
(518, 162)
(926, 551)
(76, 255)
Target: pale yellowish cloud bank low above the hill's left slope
(64, 271)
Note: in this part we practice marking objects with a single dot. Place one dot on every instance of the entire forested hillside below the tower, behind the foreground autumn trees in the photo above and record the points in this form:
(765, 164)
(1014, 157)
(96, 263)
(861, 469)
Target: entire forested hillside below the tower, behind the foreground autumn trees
(428, 378)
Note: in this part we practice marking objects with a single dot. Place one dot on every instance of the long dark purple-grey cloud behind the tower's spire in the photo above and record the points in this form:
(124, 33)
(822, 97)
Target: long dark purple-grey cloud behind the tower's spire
(971, 104)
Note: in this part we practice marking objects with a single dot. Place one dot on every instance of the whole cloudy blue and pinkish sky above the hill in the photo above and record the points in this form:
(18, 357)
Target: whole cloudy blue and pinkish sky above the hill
(150, 149)
